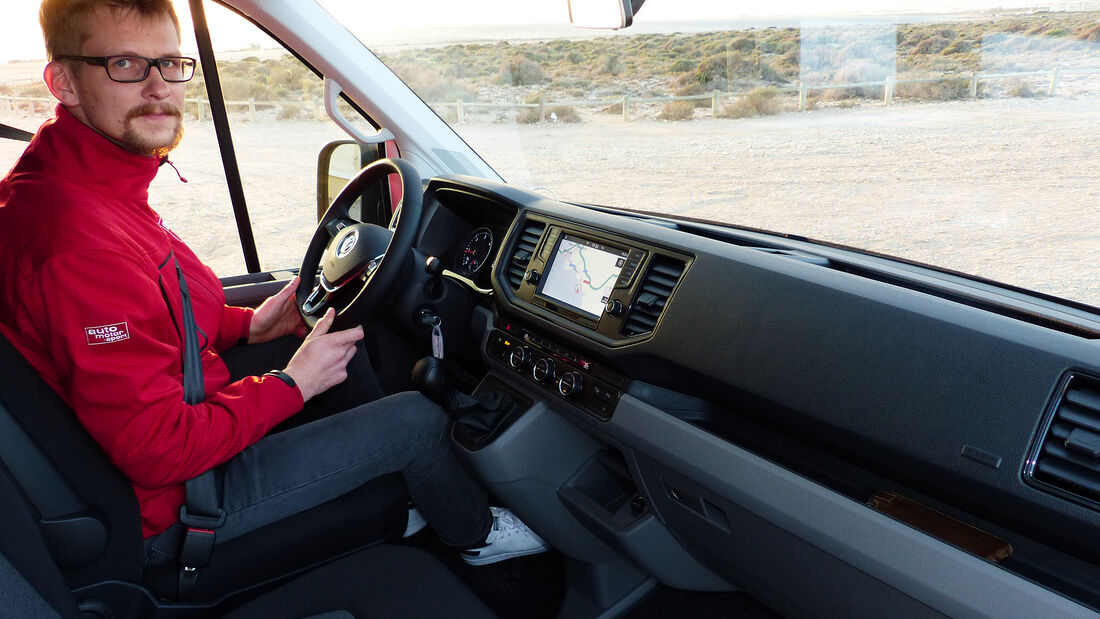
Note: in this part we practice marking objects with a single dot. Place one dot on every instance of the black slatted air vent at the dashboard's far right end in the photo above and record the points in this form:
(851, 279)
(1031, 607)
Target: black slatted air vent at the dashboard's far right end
(1069, 457)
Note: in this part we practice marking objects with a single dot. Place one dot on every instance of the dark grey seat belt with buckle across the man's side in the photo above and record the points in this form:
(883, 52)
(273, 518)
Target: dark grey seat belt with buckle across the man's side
(202, 515)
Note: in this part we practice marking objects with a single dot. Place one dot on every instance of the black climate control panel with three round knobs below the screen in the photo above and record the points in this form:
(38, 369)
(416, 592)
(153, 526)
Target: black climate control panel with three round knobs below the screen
(557, 370)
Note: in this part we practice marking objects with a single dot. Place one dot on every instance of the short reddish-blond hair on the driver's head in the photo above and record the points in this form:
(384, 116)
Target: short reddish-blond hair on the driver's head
(65, 23)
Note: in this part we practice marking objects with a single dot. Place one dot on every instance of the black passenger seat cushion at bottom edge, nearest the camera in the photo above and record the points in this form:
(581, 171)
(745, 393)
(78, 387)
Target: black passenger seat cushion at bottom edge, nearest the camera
(386, 581)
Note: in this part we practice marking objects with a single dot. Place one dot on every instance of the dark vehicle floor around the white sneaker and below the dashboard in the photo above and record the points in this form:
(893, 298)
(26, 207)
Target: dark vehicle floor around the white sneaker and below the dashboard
(534, 588)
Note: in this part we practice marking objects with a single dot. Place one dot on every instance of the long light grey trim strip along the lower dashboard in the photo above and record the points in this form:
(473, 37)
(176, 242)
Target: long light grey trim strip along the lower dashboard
(938, 574)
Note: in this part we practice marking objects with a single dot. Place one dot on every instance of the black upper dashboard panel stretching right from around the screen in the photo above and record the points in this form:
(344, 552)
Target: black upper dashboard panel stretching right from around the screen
(922, 392)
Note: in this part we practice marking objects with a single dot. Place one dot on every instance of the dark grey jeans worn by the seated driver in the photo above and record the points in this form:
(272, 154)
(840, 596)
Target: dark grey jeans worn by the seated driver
(307, 466)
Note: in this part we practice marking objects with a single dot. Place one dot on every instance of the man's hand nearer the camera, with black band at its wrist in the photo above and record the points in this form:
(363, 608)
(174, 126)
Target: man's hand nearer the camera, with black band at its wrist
(322, 361)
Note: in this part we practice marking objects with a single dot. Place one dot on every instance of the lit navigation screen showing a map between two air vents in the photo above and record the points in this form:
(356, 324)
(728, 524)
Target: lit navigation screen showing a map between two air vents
(582, 274)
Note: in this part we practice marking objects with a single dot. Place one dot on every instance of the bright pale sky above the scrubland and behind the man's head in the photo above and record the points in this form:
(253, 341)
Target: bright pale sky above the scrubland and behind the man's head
(21, 39)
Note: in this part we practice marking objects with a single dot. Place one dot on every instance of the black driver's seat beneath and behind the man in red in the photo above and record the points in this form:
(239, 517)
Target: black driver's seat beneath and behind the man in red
(372, 514)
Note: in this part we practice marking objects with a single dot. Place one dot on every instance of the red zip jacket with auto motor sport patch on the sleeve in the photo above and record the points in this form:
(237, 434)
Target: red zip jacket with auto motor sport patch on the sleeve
(91, 297)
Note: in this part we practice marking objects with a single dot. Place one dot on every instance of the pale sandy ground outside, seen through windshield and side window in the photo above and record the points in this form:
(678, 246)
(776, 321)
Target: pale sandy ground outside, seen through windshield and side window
(1005, 189)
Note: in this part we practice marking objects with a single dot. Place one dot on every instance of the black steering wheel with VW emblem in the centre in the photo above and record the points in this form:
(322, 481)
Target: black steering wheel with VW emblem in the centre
(359, 261)
